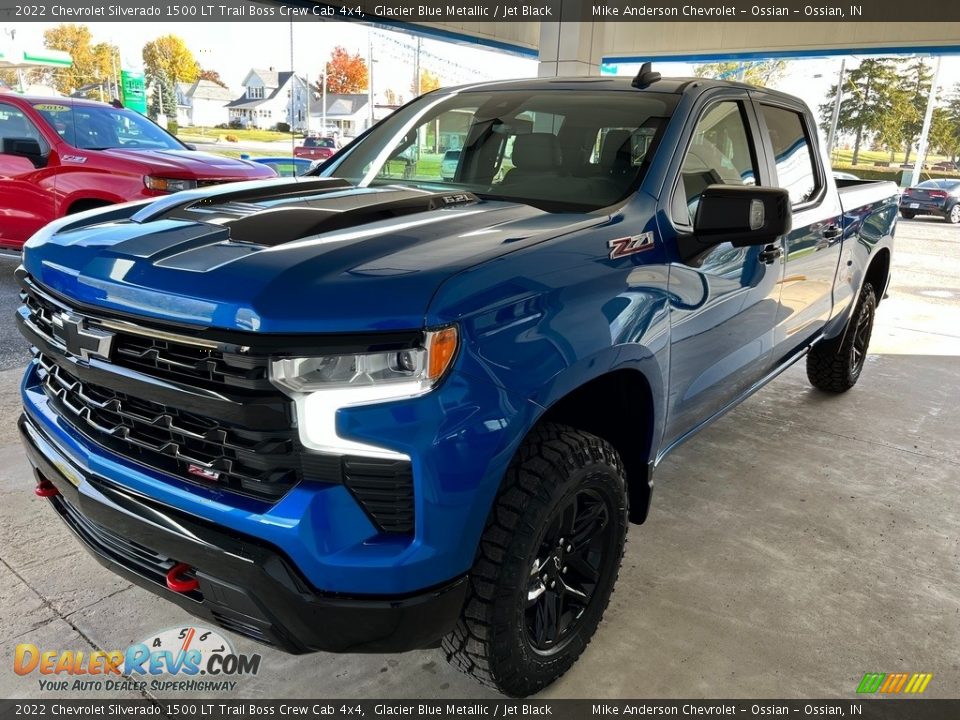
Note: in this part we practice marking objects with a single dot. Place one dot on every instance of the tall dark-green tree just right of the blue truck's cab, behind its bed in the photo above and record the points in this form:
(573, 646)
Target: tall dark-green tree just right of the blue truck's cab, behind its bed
(866, 98)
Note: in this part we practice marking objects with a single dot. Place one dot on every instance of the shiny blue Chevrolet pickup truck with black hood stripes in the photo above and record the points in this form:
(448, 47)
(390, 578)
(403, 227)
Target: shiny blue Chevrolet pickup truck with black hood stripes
(376, 409)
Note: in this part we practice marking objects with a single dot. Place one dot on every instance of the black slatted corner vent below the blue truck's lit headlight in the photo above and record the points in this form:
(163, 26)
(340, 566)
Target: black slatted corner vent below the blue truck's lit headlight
(384, 488)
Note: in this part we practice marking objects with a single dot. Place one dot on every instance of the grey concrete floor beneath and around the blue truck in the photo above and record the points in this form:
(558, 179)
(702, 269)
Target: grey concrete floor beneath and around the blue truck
(797, 543)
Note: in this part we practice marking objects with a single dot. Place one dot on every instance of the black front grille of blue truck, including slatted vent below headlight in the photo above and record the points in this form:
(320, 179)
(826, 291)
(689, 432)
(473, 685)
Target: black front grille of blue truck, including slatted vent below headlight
(238, 432)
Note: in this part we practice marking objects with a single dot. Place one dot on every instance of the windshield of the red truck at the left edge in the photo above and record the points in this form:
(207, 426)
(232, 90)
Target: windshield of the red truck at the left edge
(96, 127)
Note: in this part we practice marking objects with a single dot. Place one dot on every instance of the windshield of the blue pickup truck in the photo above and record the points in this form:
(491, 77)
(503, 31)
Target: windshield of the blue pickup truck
(555, 149)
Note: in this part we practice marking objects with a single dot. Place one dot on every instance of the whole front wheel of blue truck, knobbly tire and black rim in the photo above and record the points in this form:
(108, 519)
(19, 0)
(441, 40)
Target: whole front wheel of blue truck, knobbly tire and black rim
(548, 559)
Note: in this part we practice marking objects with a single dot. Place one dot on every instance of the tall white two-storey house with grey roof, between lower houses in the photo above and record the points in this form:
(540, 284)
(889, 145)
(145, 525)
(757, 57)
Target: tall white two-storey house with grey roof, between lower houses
(271, 97)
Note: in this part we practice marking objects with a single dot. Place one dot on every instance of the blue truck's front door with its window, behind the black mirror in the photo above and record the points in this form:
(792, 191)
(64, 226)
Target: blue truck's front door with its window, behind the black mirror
(724, 302)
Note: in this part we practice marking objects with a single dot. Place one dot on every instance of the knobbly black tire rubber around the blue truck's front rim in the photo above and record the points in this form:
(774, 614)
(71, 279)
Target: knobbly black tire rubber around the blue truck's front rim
(491, 642)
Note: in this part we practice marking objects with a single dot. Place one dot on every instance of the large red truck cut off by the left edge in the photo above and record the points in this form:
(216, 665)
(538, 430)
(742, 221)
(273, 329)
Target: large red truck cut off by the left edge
(63, 155)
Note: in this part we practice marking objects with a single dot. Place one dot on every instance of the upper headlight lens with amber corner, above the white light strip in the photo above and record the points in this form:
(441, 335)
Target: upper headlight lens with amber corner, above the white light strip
(400, 373)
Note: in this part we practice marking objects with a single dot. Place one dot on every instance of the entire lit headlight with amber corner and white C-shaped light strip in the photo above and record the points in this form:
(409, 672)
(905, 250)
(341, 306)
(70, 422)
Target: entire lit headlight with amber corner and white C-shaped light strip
(321, 385)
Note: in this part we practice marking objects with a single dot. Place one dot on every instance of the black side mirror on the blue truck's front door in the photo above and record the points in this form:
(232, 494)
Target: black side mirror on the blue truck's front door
(742, 215)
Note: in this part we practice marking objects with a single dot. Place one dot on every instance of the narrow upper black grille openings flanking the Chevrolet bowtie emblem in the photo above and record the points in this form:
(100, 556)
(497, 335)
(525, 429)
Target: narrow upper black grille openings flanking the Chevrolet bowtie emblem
(177, 361)
